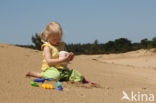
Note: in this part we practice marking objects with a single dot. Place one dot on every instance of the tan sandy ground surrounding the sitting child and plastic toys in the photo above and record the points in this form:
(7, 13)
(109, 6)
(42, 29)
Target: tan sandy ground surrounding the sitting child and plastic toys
(133, 71)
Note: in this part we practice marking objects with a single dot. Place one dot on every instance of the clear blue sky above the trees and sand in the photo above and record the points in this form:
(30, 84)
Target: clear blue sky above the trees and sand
(82, 21)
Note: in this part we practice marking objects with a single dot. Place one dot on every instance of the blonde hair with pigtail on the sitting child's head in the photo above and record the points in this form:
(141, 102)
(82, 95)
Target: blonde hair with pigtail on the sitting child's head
(51, 30)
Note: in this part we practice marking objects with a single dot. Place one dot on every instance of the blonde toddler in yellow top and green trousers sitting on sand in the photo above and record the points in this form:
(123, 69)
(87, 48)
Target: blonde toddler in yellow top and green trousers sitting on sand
(55, 57)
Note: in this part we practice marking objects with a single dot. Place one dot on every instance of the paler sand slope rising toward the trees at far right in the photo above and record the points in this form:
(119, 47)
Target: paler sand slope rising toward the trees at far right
(140, 58)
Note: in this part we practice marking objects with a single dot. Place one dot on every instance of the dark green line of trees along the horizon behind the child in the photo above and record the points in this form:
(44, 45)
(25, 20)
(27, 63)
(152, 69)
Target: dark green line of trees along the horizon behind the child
(120, 45)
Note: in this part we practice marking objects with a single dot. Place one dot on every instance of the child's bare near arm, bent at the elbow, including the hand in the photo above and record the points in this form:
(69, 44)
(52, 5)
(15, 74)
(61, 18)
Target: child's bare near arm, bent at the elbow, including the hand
(50, 61)
